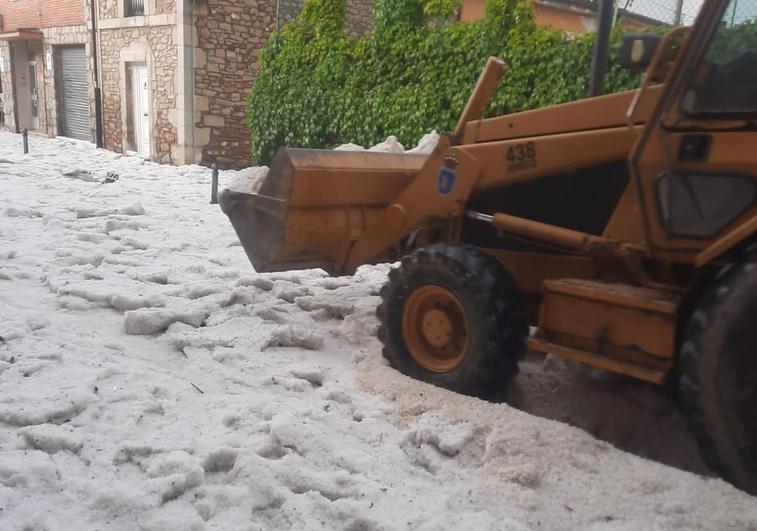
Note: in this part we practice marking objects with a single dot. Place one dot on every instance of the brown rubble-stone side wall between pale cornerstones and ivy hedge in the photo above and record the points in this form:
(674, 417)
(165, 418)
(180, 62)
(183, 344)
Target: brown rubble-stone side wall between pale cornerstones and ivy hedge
(230, 35)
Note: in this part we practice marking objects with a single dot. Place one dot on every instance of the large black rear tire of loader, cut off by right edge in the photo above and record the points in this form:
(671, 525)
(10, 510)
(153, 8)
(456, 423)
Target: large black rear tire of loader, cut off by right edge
(718, 373)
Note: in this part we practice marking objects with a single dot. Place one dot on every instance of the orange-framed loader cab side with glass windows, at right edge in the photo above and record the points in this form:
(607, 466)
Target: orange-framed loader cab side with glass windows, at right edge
(696, 162)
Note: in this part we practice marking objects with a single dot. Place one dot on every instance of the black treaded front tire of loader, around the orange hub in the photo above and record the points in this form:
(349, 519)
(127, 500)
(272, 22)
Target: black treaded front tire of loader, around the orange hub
(497, 325)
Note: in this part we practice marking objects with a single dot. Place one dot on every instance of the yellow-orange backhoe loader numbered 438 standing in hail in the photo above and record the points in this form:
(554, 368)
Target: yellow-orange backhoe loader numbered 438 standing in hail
(622, 227)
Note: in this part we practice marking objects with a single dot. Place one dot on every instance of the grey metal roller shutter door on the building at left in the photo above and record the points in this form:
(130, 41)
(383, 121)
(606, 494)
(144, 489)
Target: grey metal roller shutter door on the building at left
(75, 112)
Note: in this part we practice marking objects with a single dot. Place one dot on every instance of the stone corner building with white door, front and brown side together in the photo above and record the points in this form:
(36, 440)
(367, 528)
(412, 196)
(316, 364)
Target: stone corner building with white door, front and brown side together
(199, 59)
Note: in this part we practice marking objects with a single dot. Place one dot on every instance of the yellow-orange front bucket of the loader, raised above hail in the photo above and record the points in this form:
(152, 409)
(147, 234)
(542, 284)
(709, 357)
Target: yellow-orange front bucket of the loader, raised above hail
(314, 204)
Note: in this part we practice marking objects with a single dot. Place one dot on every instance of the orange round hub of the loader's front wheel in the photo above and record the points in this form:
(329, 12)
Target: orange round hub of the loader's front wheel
(435, 328)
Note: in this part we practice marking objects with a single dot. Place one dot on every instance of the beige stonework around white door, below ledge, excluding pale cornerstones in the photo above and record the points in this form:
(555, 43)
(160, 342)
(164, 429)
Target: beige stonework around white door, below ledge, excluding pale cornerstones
(160, 52)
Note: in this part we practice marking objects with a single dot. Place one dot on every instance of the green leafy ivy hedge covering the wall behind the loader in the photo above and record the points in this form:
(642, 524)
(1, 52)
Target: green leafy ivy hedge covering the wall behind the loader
(321, 87)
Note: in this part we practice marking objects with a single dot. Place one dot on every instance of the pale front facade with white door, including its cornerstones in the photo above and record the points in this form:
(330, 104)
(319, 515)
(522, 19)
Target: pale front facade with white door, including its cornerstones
(143, 66)
